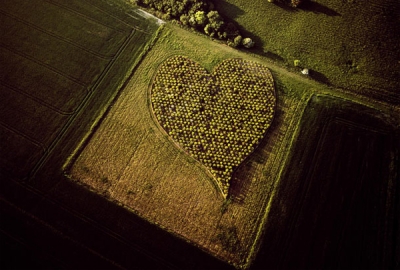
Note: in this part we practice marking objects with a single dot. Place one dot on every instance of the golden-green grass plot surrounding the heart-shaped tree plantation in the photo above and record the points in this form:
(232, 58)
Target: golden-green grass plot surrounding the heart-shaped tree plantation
(131, 159)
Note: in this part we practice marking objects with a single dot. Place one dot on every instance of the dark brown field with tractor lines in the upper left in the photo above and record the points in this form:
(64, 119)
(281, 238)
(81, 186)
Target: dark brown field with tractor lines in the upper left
(71, 54)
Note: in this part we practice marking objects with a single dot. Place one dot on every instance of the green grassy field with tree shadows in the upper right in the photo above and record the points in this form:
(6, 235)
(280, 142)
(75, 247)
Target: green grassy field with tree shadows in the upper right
(350, 44)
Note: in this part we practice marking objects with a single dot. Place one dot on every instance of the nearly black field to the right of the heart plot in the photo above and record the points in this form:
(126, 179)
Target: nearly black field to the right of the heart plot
(337, 199)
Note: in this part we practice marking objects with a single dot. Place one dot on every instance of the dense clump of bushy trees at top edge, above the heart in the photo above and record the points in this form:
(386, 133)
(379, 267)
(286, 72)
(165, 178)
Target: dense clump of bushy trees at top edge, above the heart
(200, 15)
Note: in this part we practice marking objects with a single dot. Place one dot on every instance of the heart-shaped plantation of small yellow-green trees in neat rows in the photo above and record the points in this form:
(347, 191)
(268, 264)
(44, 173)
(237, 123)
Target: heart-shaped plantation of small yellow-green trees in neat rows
(217, 118)
